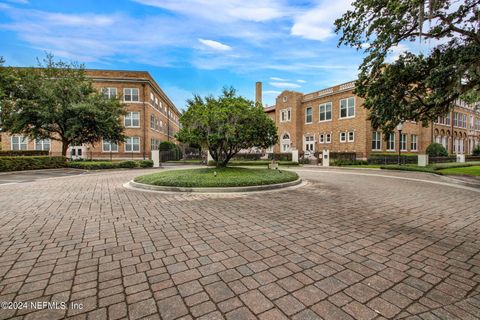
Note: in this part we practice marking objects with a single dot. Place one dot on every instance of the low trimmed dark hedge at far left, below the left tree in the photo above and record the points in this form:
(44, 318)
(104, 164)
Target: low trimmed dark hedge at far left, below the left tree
(21, 163)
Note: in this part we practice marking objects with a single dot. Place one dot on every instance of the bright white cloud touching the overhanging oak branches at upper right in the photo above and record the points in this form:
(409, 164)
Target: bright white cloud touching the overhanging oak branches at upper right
(317, 23)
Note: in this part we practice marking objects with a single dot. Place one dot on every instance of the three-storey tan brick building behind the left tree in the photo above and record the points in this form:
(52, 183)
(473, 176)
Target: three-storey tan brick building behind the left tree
(151, 118)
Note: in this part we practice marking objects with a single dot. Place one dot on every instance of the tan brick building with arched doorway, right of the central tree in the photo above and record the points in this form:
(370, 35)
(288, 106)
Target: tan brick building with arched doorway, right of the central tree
(334, 119)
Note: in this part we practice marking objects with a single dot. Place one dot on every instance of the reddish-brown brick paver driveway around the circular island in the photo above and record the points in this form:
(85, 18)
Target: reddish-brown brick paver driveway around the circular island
(344, 246)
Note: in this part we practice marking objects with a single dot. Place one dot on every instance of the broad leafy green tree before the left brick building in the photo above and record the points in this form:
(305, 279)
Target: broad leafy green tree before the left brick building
(57, 101)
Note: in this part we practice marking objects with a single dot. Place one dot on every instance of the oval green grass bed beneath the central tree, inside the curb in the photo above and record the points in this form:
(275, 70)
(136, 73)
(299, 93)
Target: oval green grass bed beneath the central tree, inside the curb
(226, 177)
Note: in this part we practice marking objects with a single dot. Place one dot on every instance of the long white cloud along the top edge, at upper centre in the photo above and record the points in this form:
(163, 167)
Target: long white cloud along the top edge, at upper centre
(221, 10)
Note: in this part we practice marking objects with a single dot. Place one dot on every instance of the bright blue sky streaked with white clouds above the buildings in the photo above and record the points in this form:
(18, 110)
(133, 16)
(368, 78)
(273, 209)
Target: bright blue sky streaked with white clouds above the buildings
(189, 46)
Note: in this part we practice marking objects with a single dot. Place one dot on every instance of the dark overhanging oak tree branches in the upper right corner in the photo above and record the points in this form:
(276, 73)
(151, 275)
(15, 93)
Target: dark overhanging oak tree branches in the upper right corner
(417, 87)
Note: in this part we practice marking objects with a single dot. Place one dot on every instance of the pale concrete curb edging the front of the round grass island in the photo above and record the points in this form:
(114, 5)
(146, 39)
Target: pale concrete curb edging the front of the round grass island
(135, 185)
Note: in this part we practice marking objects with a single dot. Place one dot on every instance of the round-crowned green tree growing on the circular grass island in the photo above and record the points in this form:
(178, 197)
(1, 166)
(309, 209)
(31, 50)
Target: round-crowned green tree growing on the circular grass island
(225, 125)
